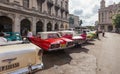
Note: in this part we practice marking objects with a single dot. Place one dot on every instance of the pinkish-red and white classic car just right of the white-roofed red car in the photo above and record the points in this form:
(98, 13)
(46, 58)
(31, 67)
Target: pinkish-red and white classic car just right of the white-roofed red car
(73, 36)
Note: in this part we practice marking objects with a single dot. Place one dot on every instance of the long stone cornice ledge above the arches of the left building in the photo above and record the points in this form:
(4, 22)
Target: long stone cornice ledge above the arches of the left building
(20, 9)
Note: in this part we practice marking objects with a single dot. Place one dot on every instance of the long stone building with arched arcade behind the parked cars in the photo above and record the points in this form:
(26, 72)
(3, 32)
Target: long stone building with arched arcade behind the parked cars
(35, 15)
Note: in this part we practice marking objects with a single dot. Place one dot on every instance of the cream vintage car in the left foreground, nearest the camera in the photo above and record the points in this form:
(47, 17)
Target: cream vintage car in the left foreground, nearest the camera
(17, 57)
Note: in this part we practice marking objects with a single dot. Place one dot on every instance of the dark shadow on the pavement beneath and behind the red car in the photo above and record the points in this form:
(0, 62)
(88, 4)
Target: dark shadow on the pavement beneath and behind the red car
(60, 57)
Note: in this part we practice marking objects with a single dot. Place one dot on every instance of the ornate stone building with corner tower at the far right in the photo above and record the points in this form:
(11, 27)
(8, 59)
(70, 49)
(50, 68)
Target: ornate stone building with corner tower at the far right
(106, 14)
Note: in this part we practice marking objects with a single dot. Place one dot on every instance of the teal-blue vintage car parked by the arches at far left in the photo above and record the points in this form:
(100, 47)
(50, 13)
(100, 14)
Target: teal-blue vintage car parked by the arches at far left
(13, 36)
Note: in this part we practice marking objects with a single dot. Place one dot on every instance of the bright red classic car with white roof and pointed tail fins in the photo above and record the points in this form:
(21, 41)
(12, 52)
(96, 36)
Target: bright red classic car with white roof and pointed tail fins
(49, 41)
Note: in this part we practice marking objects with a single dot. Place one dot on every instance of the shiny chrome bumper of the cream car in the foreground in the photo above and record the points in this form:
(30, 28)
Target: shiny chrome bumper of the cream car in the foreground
(26, 70)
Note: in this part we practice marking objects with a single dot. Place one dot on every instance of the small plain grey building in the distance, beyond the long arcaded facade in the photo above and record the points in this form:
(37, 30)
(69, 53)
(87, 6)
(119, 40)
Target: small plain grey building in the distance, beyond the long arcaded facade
(73, 21)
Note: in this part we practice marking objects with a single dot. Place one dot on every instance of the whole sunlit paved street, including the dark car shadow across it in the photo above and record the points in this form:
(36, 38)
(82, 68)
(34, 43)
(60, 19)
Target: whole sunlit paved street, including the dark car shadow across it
(95, 57)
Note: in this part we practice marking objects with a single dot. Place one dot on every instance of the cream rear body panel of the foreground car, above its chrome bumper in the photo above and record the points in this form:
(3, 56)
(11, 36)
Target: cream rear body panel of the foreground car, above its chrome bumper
(19, 55)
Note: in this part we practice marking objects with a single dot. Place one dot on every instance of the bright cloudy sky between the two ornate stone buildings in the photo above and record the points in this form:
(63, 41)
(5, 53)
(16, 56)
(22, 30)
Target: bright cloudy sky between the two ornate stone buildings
(87, 10)
